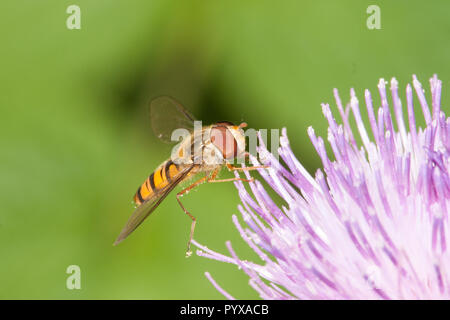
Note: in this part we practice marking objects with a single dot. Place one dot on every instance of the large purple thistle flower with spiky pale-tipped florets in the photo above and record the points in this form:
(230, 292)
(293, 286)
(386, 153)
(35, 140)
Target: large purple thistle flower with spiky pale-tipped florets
(373, 223)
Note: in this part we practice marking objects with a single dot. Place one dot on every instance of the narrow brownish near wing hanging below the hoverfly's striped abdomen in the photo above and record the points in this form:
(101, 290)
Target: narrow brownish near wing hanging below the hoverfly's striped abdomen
(146, 208)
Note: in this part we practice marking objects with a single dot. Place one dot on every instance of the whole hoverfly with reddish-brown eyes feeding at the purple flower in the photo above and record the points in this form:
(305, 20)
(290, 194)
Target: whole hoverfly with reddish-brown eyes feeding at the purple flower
(205, 151)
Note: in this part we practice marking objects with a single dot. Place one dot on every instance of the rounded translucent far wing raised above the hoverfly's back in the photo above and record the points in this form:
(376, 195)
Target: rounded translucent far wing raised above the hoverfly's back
(166, 115)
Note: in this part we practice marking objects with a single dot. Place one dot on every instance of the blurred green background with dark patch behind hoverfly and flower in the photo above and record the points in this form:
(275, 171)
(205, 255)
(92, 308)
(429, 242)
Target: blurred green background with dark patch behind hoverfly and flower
(76, 140)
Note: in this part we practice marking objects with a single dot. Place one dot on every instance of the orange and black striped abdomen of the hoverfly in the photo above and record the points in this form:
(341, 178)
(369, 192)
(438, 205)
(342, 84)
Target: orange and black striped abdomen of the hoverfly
(157, 181)
